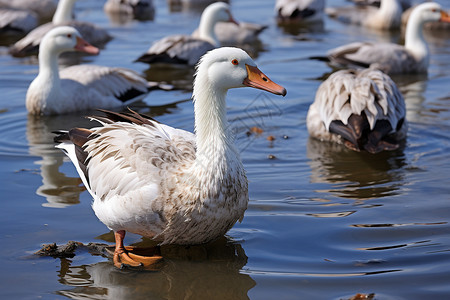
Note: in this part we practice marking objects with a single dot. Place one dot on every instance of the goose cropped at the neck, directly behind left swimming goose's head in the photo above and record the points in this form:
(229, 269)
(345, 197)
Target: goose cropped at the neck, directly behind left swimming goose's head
(29, 45)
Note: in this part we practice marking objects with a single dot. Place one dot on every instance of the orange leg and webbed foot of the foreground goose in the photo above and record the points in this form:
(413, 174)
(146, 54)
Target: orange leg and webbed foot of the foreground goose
(124, 257)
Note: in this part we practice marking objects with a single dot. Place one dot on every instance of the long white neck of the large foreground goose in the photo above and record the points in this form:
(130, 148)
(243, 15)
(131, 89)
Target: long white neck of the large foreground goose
(211, 127)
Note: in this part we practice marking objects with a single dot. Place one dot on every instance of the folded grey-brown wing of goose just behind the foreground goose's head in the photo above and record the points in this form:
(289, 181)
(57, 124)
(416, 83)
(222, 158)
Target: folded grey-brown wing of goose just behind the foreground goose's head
(176, 49)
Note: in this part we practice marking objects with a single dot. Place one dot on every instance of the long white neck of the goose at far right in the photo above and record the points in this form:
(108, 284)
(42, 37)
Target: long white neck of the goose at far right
(414, 39)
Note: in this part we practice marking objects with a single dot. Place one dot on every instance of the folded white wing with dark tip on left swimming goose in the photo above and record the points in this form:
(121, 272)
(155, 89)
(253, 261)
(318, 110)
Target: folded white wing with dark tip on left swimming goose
(123, 84)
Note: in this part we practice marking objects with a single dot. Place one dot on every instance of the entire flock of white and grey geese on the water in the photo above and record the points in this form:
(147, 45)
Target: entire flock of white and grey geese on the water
(178, 187)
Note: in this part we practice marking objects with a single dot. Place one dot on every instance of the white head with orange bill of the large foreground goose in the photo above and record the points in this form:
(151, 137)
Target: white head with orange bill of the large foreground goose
(227, 67)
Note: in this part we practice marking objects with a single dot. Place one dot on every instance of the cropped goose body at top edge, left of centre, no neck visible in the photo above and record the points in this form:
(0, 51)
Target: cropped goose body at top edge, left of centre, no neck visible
(138, 9)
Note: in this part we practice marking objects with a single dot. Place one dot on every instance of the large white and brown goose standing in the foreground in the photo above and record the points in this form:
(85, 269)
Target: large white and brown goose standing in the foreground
(168, 184)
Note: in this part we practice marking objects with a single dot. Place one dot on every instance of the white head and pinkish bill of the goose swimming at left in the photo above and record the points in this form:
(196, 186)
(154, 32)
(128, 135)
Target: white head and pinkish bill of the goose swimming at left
(65, 38)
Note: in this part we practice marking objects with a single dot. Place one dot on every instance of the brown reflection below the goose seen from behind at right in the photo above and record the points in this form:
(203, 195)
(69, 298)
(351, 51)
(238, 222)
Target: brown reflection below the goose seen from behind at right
(355, 175)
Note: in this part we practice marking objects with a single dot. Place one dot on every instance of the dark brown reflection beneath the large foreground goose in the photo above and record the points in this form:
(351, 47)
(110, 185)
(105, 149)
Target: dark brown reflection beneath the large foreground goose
(210, 271)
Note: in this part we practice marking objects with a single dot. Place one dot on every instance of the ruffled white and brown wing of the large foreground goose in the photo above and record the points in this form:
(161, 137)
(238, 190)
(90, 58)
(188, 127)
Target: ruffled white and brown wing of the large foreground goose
(127, 153)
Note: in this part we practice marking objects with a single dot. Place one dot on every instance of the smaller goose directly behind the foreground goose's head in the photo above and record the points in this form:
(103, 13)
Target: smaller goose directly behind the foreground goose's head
(187, 49)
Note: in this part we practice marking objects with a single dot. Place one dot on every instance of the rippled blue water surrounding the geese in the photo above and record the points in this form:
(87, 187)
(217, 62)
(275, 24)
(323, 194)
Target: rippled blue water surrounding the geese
(323, 222)
